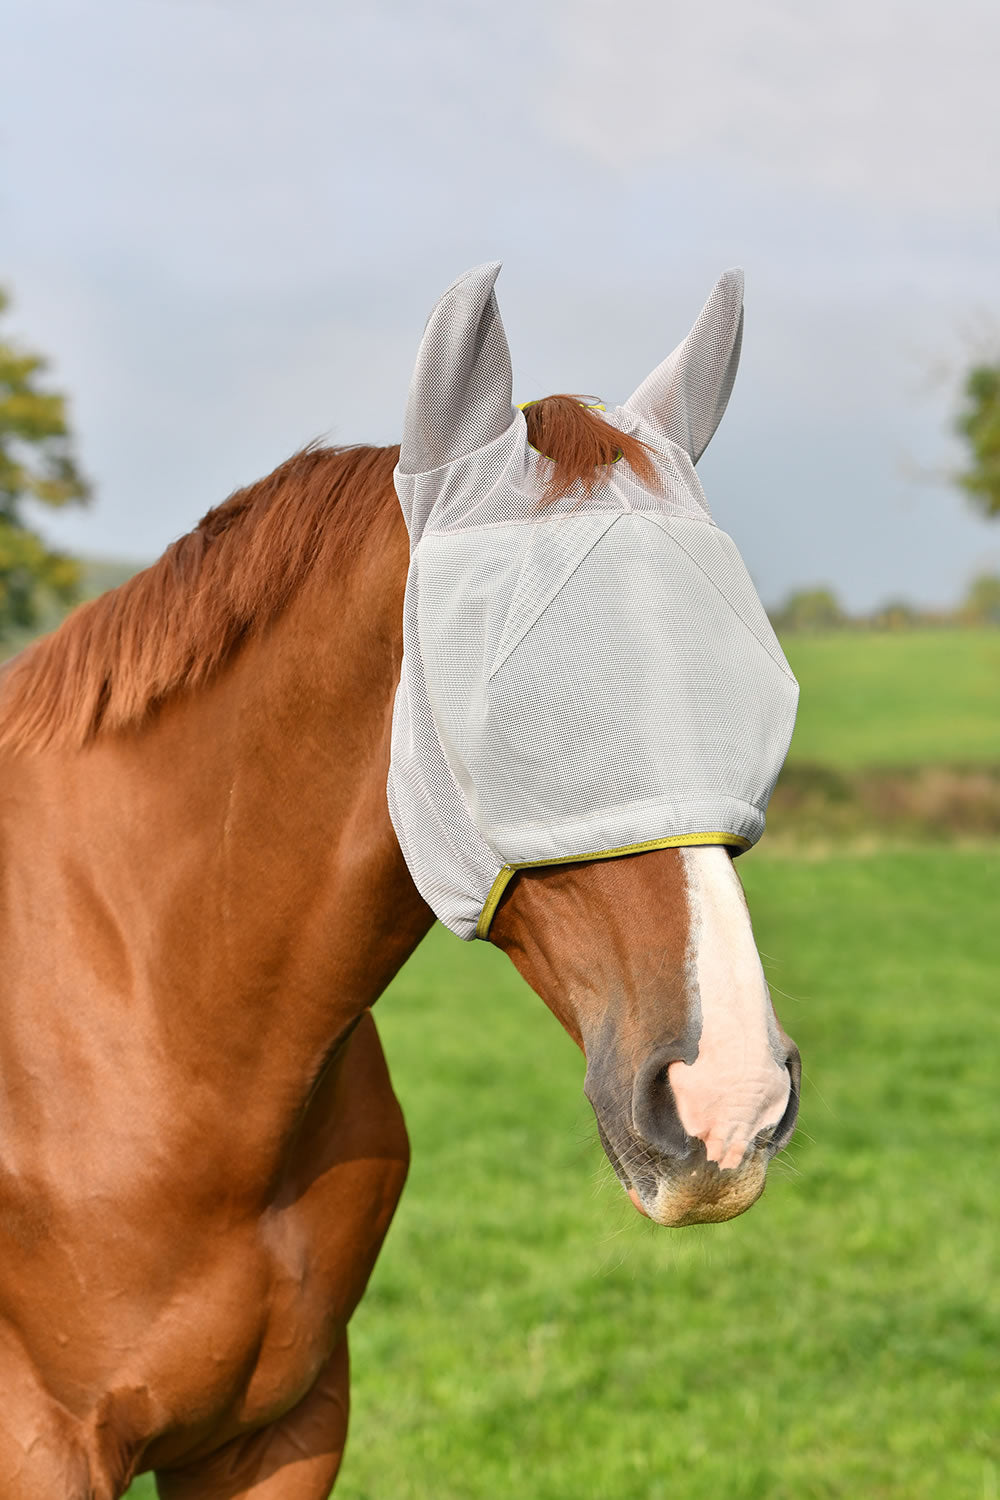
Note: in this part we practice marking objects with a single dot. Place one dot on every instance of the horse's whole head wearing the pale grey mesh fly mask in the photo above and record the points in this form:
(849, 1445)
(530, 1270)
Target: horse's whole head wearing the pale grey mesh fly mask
(591, 718)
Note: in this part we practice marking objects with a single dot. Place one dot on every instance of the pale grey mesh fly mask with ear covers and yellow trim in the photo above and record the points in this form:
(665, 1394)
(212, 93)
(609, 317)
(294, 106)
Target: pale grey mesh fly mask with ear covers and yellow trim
(582, 679)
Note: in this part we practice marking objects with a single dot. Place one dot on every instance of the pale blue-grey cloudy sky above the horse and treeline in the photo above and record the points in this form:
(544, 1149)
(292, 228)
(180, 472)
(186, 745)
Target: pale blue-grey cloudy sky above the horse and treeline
(227, 223)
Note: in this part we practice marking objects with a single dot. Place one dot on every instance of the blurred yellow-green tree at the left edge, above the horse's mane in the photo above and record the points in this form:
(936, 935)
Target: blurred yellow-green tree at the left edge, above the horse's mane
(37, 466)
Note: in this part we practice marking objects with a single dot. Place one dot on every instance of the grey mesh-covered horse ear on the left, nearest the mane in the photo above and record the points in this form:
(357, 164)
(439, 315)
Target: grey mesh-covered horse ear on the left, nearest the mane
(461, 395)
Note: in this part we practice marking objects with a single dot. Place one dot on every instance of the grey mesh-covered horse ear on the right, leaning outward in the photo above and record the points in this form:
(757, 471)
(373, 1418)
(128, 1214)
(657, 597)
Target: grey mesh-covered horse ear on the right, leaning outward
(687, 395)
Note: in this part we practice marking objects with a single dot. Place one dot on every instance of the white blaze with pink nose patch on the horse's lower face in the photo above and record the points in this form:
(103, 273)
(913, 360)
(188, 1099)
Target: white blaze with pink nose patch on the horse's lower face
(735, 1087)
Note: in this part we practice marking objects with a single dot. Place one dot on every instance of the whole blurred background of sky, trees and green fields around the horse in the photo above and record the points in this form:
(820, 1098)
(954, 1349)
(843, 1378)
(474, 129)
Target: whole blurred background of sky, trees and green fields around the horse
(224, 226)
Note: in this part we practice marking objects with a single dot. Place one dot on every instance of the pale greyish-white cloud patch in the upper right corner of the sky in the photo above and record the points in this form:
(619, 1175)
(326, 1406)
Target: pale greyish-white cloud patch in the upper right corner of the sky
(890, 103)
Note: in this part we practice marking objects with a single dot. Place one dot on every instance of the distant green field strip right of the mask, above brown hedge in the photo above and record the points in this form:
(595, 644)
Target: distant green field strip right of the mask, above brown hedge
(873, 698)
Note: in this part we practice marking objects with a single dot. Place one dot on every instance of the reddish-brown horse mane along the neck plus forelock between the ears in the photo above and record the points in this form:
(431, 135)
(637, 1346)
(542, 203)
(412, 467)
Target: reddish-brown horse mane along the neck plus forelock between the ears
(173, 626)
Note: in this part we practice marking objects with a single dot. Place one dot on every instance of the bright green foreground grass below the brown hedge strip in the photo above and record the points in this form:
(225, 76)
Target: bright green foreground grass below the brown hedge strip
(527, 1334)
